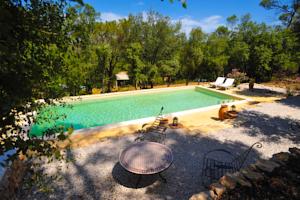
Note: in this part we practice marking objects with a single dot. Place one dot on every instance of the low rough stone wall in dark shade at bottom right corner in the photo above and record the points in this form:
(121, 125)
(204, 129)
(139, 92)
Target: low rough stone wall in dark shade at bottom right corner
(276, 178)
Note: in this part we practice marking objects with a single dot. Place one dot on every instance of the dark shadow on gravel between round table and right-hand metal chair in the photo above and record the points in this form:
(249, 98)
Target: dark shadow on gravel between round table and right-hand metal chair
(184, 176)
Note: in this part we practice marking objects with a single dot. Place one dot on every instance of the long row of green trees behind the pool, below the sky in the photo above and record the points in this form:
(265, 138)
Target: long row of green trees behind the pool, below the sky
(153, 49)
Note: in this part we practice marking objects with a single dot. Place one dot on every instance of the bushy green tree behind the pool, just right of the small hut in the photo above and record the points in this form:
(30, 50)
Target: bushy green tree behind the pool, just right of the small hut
(160, 40)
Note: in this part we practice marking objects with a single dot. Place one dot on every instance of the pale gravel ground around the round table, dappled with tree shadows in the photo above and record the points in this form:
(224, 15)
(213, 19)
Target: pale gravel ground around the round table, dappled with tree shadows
(95, 173)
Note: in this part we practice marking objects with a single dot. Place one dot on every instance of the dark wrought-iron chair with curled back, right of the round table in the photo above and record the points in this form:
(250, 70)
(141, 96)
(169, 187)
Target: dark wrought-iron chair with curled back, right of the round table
(214, 168)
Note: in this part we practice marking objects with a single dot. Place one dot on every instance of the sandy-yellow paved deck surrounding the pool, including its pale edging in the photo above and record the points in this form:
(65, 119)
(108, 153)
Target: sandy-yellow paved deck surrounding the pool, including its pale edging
(204, 119)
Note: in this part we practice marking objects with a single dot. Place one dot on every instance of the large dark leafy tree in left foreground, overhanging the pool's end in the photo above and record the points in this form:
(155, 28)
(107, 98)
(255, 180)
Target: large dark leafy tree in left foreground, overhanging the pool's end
(33, 38)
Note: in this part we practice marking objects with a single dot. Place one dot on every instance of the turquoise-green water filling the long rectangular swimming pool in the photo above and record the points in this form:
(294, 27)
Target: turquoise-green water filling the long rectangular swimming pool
(99, 112)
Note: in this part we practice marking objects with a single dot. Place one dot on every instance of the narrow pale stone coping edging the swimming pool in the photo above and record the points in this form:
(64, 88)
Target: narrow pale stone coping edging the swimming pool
(92, 130)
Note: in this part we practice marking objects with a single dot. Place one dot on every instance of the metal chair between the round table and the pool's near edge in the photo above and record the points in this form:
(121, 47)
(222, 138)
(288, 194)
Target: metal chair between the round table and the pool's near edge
(154, 132)
